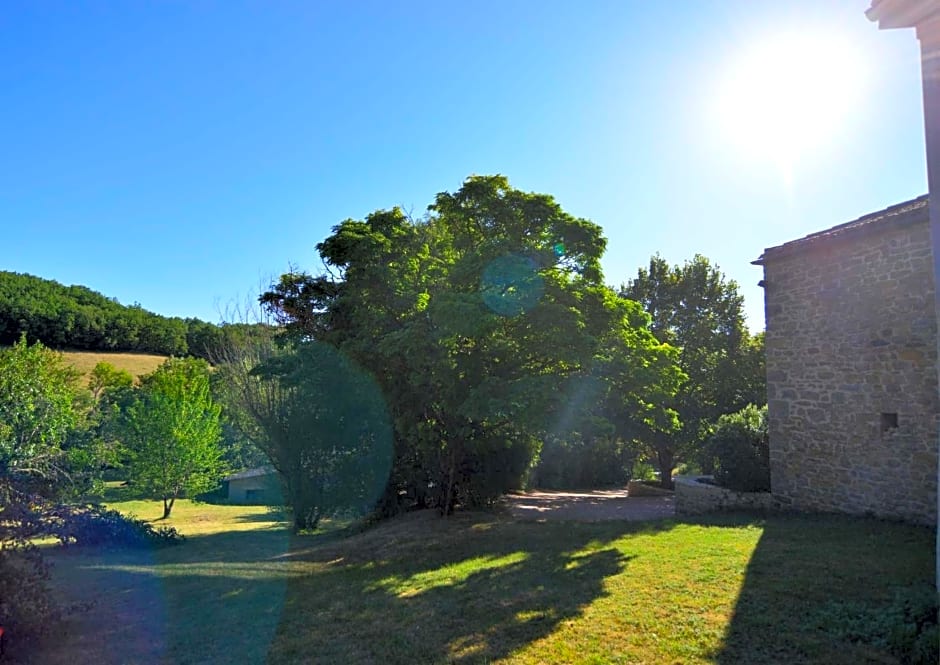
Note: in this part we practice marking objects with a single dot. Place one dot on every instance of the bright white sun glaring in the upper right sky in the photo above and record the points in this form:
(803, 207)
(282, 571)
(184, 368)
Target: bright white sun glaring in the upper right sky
(786, 97)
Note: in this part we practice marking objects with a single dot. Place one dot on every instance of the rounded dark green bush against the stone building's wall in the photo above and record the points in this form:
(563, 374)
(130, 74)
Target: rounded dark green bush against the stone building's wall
(740, 445)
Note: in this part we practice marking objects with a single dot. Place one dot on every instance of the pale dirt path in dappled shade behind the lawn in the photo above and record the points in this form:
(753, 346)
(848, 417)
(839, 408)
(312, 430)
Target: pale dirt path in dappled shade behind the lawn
(588, 506)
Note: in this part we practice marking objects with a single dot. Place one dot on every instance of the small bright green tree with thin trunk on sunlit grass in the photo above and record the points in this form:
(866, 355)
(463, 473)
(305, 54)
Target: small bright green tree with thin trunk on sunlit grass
(172, 431)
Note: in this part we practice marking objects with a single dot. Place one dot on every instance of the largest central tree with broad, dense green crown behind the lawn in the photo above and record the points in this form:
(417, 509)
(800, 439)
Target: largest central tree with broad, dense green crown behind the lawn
(483, 323)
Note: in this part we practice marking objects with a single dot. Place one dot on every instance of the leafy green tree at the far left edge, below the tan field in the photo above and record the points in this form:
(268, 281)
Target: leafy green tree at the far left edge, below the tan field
(37, 410)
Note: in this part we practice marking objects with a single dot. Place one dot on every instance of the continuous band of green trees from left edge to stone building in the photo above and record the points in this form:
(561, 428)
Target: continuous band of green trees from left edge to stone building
(436, 362)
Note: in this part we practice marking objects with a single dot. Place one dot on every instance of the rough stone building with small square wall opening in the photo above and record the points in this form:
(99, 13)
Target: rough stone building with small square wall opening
(851, 375)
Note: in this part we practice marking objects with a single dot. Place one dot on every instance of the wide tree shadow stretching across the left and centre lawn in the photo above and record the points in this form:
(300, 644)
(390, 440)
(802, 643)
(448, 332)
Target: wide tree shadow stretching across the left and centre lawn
(467, 589)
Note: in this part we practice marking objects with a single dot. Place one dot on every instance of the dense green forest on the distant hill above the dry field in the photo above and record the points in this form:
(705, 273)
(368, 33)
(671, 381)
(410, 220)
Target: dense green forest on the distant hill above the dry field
(75, 317)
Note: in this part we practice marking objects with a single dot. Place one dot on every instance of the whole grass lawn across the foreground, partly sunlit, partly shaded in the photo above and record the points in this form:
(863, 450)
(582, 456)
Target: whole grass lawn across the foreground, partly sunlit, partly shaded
(481, 588)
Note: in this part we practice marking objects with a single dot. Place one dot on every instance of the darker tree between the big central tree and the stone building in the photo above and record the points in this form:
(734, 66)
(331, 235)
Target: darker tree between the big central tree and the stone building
(696, 309)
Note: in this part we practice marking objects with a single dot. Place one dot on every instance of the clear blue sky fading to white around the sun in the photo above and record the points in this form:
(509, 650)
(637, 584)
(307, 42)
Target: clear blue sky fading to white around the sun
(181, 155)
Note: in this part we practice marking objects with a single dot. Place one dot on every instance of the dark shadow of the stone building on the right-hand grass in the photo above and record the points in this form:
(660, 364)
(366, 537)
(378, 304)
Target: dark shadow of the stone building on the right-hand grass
(808, 569)
